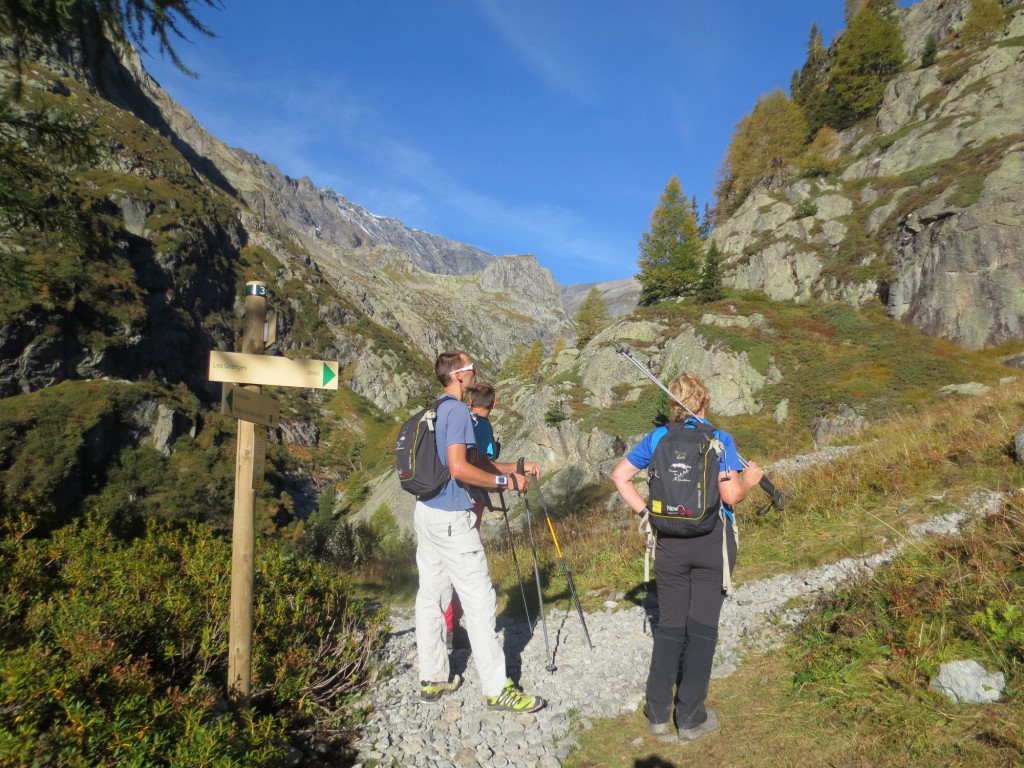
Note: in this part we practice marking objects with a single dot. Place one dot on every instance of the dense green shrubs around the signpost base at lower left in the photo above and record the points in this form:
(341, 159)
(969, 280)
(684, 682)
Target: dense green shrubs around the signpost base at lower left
(115, 653)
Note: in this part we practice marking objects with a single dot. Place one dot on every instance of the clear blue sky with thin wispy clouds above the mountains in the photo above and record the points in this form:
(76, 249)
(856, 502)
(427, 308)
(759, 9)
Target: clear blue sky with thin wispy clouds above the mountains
(518, 126)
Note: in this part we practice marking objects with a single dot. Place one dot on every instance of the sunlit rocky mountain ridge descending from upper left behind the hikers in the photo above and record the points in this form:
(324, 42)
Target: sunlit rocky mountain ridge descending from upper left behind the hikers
(434, 293)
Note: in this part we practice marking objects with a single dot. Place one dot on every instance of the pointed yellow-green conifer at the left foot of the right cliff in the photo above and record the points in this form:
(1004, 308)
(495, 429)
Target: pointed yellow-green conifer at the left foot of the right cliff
(671, 252)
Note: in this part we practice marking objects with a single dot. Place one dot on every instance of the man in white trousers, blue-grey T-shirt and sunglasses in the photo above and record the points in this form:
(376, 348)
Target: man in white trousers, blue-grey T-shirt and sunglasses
(449, 553)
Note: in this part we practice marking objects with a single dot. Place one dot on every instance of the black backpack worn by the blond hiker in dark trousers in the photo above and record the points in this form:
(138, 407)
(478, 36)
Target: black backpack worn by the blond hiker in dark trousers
(684, 481)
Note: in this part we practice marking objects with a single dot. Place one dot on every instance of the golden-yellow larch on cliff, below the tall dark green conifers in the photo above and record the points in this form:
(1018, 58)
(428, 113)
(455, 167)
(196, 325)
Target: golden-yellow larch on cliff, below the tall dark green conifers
(765, 142)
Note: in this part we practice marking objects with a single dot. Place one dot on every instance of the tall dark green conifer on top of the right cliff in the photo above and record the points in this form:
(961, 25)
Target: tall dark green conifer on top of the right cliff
(867, 58)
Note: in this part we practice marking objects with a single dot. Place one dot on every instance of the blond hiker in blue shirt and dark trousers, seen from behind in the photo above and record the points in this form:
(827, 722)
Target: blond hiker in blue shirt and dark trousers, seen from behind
(693, 563)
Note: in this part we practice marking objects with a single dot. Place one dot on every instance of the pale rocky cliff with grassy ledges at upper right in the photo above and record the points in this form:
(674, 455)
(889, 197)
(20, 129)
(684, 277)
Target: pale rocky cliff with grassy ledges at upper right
(926, 217)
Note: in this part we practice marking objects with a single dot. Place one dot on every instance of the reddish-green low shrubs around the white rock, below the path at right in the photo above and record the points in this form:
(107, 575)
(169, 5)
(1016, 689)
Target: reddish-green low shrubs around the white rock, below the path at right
(960, 598)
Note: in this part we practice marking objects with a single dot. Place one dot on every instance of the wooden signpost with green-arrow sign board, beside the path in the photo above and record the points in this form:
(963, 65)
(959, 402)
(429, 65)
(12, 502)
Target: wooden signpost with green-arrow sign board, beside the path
(250, 369)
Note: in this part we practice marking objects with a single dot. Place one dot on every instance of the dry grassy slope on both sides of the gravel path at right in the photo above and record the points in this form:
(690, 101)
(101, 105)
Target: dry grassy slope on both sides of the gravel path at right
(851, 690)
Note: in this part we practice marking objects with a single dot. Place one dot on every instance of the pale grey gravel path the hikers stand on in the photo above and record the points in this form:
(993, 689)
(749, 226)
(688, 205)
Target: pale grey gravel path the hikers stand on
(606, 682)
